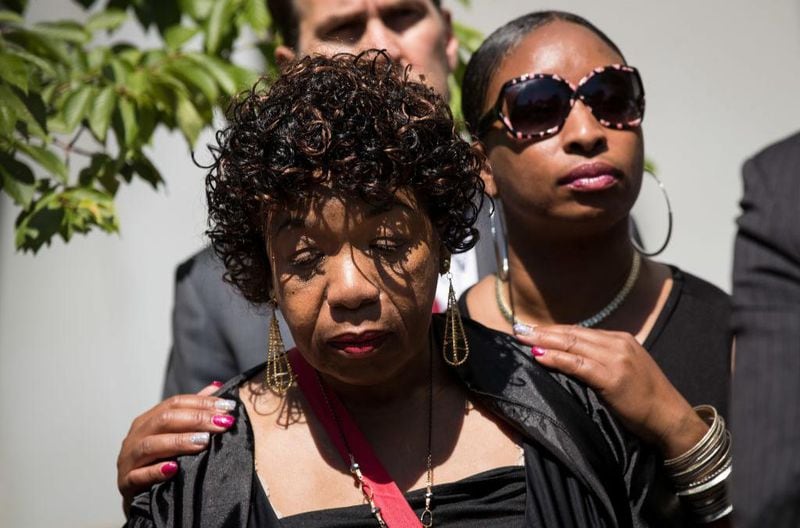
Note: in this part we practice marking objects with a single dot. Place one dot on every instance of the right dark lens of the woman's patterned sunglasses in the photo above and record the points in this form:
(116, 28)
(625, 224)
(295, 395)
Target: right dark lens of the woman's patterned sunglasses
(615, 96)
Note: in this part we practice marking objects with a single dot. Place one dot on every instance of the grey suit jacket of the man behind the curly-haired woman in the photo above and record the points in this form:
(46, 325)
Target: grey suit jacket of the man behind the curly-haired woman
(216, 333)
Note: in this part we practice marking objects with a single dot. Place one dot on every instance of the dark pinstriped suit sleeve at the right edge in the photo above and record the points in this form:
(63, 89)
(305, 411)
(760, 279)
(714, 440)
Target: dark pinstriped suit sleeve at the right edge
(766, 293)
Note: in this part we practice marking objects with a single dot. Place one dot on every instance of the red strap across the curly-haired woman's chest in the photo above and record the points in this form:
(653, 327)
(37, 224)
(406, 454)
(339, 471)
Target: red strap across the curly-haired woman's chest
(387, 496)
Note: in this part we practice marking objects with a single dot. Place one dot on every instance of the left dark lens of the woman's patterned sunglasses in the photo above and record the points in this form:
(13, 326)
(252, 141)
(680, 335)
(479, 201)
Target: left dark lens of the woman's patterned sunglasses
(536, 106)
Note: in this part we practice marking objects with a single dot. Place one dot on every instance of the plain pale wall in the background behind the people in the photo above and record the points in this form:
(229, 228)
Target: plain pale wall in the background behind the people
(84, 328)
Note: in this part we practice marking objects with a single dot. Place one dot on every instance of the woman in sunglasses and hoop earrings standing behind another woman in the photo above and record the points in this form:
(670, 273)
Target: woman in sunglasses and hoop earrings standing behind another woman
(558, 112)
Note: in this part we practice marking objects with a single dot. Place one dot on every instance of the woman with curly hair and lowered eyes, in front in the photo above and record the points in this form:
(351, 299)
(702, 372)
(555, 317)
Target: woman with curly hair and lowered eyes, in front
(338, 195)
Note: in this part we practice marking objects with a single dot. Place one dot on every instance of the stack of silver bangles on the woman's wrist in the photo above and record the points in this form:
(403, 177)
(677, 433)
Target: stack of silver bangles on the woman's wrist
(700, 475)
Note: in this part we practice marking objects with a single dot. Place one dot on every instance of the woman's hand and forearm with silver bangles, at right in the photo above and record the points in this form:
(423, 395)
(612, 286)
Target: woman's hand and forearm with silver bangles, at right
(629, 381)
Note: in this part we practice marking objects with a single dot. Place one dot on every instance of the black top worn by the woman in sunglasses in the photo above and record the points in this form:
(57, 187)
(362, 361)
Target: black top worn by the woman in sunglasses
(690, 340)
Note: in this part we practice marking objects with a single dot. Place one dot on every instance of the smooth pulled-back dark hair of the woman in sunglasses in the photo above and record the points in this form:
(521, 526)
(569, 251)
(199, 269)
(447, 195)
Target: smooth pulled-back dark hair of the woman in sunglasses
(487, 58)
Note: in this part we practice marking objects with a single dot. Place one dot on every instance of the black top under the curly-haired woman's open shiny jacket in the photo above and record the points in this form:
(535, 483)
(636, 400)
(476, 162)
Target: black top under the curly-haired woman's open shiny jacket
(494, 498)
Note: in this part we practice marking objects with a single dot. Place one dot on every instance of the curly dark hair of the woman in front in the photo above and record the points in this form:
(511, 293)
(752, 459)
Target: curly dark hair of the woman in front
(355, 124)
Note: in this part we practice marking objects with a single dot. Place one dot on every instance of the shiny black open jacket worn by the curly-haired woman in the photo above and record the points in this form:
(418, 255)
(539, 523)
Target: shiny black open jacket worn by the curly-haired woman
(582, 469)
